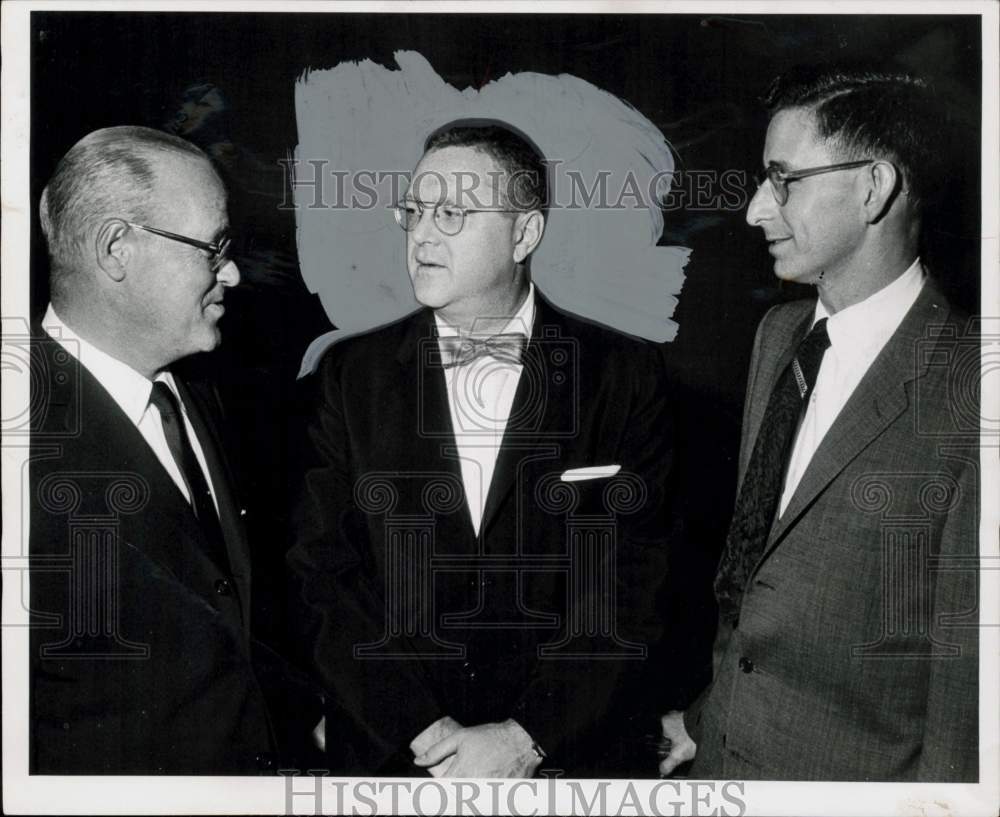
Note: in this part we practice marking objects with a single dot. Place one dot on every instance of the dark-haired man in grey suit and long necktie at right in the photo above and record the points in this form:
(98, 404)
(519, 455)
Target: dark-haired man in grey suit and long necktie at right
(848, 645)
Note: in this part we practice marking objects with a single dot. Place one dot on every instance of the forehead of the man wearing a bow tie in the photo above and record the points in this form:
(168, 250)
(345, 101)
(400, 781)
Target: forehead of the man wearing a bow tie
(455, 172)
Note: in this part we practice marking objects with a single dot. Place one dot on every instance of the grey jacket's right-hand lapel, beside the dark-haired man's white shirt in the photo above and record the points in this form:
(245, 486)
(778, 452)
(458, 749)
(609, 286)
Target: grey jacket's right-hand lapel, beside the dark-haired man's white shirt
(879, 399)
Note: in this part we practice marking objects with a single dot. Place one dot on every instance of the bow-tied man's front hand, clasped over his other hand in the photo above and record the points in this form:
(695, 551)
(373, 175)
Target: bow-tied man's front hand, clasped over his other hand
(488, 750)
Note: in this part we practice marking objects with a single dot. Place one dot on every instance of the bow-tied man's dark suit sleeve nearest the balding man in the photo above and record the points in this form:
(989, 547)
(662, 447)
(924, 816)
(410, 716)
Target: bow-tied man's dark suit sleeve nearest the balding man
(373, 711)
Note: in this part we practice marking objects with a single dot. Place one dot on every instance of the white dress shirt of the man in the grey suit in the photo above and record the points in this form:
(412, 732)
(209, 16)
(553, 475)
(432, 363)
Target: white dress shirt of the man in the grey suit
(857, 334)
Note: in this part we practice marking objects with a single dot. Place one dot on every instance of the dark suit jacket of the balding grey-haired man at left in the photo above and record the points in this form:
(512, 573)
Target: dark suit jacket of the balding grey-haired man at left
(141, 655)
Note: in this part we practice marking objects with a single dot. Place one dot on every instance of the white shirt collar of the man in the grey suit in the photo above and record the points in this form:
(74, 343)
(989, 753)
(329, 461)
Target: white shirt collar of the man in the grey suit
(871, 322)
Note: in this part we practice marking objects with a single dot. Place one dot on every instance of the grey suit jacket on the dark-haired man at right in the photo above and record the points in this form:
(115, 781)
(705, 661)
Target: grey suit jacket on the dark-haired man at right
(855, 652)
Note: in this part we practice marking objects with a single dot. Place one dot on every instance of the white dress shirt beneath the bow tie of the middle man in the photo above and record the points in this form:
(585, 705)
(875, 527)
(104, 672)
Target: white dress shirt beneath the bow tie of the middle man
(480, 397)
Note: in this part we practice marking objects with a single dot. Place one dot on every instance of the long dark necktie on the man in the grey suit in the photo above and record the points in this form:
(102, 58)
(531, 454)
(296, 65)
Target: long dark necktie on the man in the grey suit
(765, 475)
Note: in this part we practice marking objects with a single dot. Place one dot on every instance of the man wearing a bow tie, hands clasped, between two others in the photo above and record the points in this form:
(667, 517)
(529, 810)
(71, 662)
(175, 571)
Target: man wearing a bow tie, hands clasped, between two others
(481, 529)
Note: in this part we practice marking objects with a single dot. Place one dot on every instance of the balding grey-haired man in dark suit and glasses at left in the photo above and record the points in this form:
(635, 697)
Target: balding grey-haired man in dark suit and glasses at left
(141, 655)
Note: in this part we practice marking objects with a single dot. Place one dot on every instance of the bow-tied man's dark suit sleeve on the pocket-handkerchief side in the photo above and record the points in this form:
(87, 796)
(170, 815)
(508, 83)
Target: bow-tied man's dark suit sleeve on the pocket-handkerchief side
(570, 700)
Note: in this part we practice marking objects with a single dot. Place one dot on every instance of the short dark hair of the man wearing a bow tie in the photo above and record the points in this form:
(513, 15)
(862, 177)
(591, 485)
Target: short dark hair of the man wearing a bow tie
(527, 173)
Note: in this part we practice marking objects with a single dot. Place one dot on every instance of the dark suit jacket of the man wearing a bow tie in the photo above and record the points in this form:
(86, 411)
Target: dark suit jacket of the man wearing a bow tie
(467, 635)
